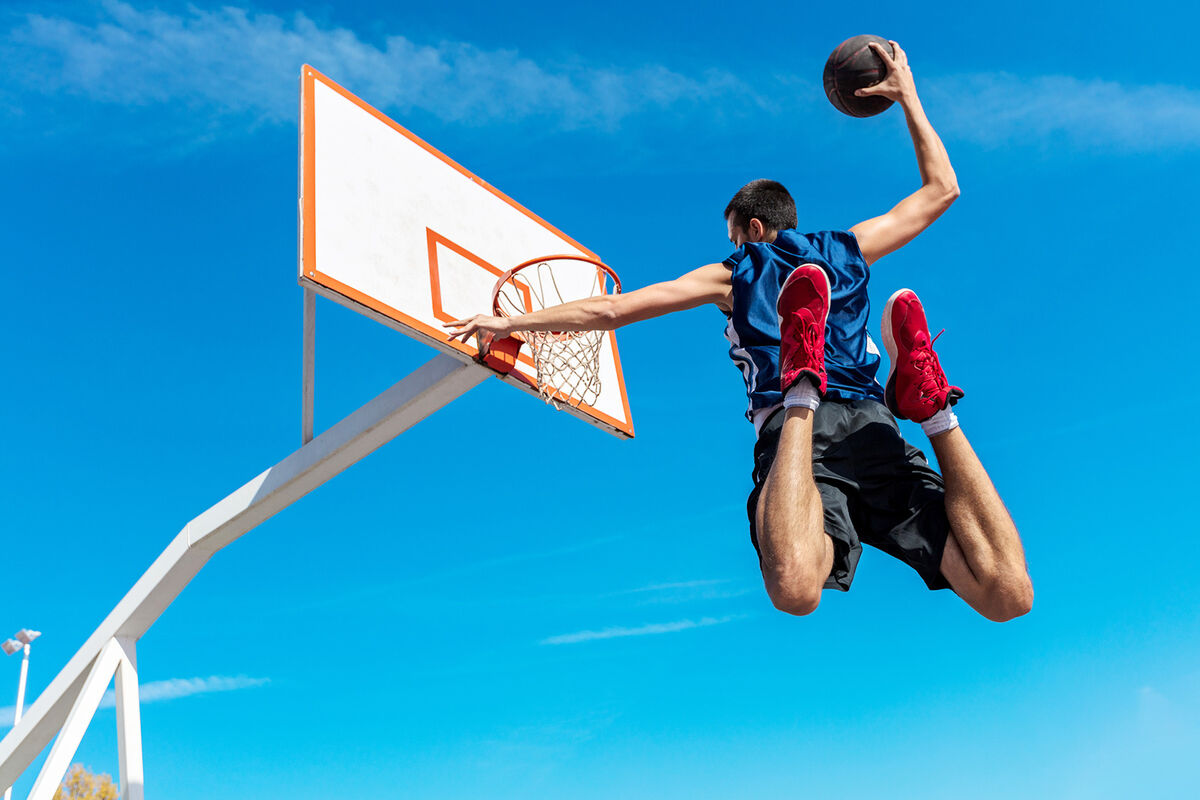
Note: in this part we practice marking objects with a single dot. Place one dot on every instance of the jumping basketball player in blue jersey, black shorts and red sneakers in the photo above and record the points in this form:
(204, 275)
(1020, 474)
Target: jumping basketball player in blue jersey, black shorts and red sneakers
(832, 471)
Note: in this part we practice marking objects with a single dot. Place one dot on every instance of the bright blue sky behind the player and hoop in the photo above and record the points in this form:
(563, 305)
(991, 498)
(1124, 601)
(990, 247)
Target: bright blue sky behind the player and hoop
(394, 635)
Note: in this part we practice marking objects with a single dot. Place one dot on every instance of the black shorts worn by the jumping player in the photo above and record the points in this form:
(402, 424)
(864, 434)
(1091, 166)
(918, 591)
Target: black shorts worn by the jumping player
(875, 488)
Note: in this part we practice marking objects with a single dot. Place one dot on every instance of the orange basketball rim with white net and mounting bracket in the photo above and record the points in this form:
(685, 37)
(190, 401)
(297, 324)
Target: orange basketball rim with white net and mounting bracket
(567, 363)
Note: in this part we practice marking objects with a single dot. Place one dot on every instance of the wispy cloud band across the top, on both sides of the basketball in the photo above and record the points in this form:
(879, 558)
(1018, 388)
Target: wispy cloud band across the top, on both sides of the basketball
(212, 73)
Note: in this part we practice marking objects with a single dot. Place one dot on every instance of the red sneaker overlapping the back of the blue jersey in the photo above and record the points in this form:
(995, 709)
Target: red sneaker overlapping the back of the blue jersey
(803, 306)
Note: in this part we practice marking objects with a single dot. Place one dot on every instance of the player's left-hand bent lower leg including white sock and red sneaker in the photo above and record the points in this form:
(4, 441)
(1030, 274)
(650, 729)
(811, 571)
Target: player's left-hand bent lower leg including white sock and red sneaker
(797, 556)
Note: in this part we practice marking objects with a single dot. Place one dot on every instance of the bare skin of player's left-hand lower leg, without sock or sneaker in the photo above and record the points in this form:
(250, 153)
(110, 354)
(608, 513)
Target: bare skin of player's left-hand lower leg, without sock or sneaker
(797, 556)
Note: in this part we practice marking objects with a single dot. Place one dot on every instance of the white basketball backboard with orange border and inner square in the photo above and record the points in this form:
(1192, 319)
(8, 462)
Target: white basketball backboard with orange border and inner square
(397, 231)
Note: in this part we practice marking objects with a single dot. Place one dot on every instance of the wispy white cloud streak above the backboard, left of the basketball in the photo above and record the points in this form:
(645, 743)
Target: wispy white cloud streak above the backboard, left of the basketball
(238, 62)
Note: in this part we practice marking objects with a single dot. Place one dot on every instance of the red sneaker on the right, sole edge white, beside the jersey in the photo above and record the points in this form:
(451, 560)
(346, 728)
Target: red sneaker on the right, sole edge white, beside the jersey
(917, 387)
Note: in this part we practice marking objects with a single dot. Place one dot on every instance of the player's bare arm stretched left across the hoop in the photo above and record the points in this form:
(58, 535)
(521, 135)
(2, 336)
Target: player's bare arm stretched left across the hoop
(707, 285)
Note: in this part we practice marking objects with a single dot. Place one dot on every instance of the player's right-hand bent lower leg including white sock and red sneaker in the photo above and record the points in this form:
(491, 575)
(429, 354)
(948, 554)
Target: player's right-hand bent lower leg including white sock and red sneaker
(983, 562)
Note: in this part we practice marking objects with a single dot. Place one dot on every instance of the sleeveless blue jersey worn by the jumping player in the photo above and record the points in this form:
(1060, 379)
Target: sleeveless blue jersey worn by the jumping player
(759, 273)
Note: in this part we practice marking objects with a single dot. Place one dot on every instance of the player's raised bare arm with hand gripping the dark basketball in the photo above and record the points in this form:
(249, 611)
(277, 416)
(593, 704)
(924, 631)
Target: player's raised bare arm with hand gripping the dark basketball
(939, 185)
